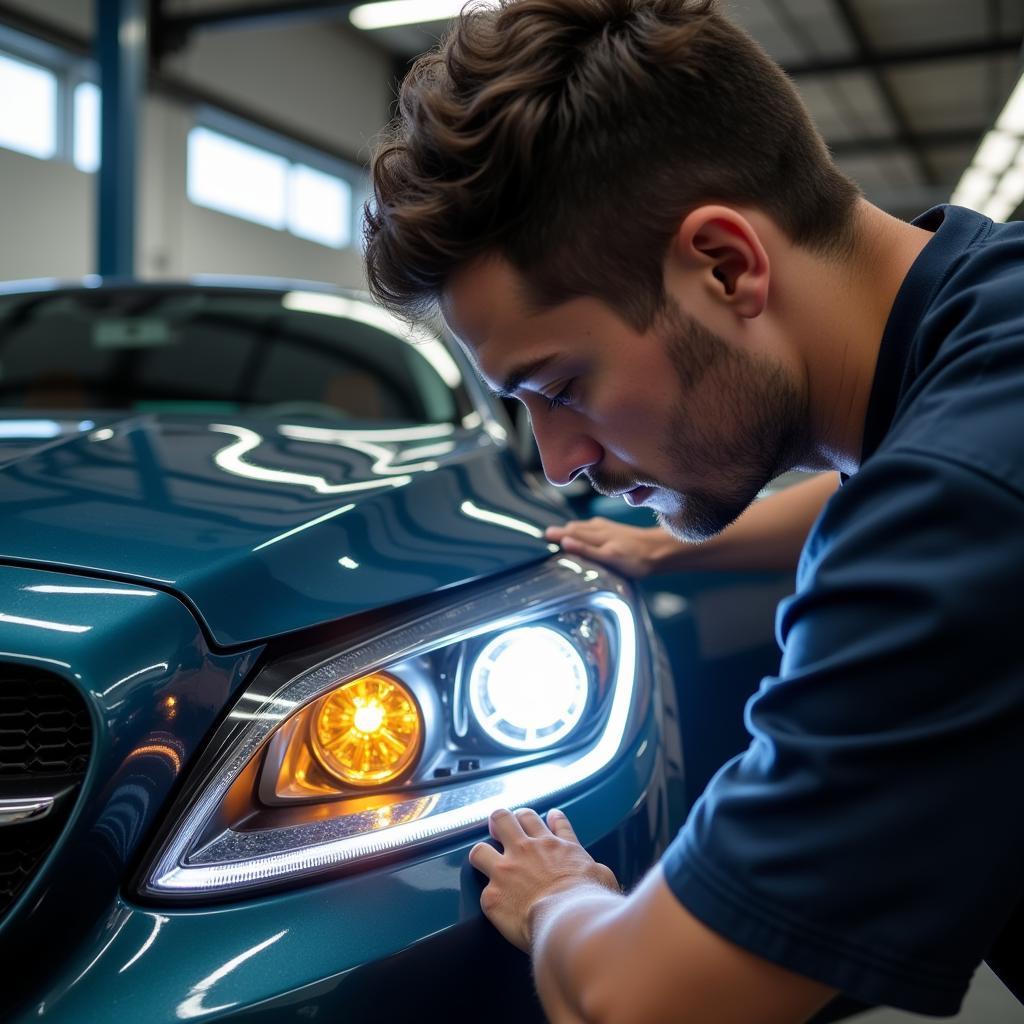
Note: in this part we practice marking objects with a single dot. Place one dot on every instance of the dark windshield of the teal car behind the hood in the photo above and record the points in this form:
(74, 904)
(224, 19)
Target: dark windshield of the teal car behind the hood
(187, 350)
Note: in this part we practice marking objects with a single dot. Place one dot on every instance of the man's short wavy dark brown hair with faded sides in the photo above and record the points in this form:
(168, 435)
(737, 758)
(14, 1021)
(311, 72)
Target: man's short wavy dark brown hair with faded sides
(572, 137)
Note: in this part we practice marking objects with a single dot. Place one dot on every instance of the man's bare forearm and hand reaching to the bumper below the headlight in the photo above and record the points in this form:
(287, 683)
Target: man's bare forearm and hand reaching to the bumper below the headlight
(603, 958)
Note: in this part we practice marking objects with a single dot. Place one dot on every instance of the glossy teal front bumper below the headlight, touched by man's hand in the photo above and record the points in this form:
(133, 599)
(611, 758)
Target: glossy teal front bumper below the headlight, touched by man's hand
(406, 940)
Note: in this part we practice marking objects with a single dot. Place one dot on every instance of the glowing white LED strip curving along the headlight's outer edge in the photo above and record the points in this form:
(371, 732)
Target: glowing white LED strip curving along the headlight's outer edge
(448, 813)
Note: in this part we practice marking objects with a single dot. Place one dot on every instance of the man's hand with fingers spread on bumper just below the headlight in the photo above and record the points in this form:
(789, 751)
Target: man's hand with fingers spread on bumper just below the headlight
(538, 862)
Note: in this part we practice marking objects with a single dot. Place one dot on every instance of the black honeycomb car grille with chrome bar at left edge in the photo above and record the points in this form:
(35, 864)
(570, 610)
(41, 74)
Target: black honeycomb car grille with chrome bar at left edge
(46, 739)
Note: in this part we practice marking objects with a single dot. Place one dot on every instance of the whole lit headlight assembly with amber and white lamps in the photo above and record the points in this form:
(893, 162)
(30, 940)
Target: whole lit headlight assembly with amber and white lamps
(412, 735)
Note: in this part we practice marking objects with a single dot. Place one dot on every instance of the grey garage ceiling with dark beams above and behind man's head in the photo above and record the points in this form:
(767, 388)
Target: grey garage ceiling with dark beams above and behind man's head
(904, 91)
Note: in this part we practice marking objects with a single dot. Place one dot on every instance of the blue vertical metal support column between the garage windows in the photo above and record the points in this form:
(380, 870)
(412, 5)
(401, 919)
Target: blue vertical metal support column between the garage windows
(122, 54)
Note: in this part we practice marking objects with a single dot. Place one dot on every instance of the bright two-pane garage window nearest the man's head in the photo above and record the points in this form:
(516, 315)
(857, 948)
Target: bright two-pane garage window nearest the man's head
(269, 188)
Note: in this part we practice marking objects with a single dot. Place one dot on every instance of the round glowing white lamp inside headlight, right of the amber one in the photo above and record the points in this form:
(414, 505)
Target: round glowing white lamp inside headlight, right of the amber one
(529, 689)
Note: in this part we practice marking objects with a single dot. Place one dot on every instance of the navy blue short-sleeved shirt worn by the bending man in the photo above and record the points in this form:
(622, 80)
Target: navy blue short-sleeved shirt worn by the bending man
(872, 837)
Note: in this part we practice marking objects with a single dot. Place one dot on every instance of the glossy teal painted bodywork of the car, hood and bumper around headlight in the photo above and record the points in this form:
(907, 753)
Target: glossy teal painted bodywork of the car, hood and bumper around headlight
(157, 563)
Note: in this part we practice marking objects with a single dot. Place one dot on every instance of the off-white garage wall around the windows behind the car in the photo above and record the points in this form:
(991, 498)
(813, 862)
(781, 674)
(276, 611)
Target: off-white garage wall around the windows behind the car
(333, 87)
